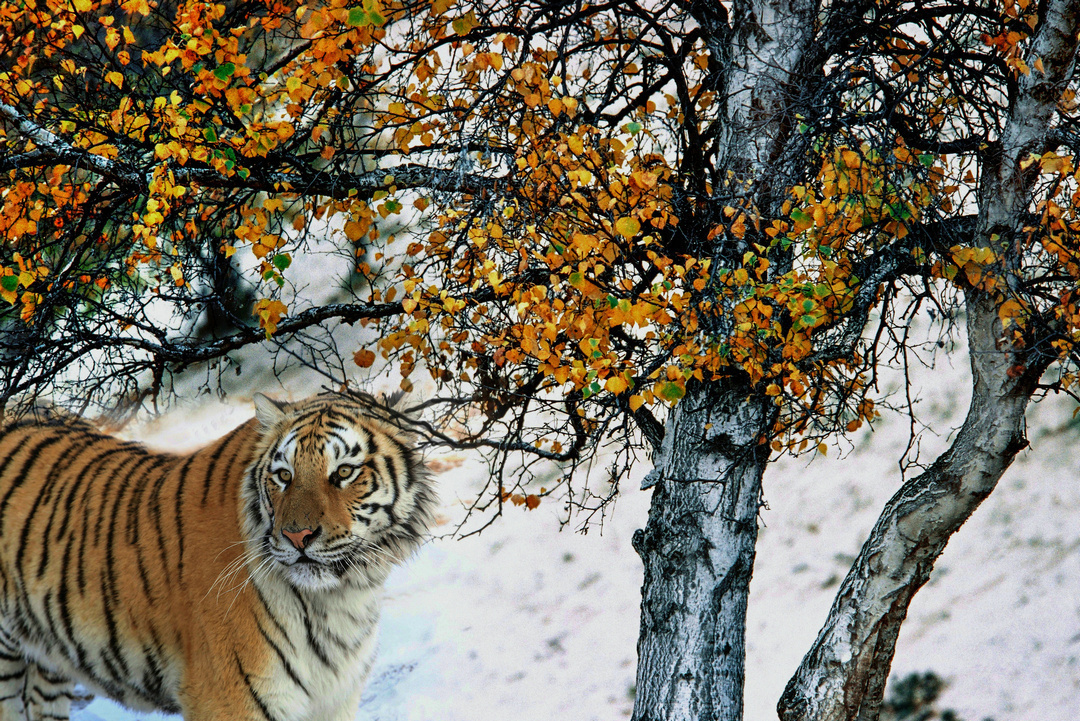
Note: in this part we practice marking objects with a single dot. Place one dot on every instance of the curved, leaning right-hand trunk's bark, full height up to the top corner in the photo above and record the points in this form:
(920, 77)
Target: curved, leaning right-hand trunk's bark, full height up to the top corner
(844, 675)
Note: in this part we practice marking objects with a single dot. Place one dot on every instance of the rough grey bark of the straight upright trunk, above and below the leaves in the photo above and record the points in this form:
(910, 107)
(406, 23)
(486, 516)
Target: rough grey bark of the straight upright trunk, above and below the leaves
(698, 547)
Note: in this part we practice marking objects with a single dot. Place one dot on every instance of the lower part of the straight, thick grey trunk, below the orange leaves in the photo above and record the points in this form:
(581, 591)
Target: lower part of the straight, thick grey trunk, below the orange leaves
(698, 550)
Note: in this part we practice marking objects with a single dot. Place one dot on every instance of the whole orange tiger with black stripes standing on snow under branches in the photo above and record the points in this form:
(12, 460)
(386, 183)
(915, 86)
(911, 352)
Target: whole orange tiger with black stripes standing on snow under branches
(238, 582)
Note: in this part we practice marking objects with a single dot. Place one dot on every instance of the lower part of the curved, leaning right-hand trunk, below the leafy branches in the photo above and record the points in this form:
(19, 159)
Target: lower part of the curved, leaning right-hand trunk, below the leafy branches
(844, 675)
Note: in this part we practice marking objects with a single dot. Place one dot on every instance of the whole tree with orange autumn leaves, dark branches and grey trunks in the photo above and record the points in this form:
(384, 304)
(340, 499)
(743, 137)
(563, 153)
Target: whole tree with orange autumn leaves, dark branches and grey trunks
(575, 217)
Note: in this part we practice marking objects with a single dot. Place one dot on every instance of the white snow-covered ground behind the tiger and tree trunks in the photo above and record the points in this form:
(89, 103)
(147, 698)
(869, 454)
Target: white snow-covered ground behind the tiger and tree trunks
(529, 623)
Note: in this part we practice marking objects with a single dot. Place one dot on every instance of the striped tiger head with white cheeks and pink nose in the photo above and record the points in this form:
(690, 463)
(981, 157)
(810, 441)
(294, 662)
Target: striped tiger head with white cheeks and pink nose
(333, 495)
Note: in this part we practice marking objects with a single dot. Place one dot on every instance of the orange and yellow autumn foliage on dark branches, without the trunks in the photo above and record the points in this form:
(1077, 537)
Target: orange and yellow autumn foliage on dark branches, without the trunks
(528, 198)
